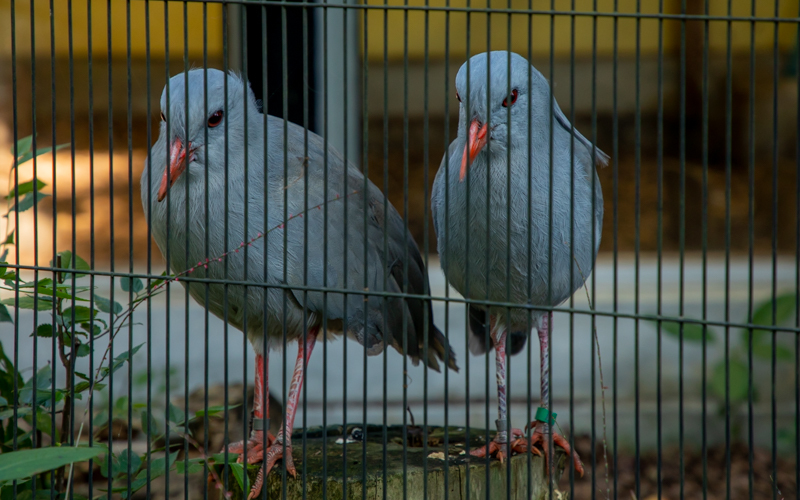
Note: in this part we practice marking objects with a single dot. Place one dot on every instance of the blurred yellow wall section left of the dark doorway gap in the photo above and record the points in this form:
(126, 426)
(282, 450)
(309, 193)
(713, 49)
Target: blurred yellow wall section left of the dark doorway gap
(100, 22)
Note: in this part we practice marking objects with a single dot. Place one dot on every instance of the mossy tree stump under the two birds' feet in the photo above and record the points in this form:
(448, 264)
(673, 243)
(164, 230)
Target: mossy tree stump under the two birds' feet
(452, 475)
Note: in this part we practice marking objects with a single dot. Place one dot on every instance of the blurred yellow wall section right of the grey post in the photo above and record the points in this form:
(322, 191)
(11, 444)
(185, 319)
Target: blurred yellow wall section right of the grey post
(540, 32)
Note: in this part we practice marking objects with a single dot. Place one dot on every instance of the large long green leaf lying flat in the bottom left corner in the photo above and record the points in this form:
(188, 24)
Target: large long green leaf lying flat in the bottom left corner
(25, 463)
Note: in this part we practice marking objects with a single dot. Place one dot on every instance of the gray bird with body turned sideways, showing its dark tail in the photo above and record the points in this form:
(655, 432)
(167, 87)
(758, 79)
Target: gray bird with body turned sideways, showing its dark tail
(195, 182)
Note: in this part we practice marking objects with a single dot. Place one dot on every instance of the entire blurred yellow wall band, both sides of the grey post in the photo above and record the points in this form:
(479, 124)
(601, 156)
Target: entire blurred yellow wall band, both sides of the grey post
(500, 26)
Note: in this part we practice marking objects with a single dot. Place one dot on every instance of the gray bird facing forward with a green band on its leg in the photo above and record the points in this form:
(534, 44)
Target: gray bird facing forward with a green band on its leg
(501, 159)
